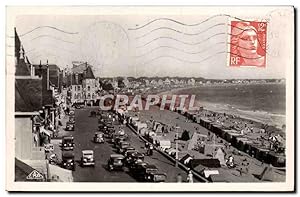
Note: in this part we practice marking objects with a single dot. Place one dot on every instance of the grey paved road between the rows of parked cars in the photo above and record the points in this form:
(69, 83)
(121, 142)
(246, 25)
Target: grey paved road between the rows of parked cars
(84, 131)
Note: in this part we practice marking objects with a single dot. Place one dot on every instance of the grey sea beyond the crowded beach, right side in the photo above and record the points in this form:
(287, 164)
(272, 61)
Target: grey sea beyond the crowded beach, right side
(261, 102)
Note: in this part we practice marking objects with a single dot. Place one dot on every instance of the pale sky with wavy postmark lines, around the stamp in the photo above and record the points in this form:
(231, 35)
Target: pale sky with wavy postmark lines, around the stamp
(160, 44)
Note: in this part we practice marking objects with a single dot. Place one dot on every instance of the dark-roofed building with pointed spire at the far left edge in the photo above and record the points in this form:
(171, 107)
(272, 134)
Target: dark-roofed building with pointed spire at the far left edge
(28, 102)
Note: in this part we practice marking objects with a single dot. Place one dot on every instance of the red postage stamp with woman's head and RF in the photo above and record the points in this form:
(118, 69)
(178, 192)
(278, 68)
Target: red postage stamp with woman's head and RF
(248, 43)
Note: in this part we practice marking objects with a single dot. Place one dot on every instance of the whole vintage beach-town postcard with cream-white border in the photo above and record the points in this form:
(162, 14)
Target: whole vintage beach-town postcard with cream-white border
(150, 98)
